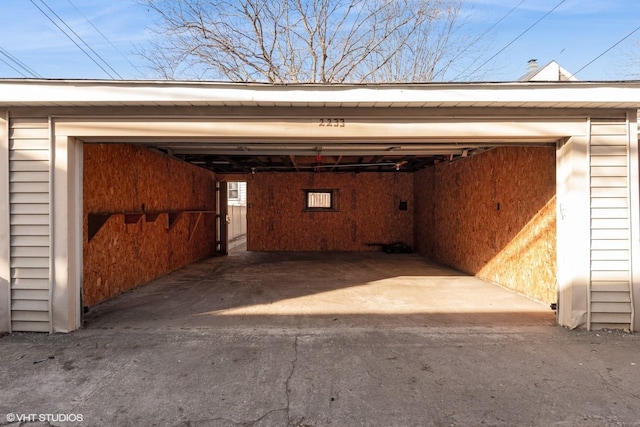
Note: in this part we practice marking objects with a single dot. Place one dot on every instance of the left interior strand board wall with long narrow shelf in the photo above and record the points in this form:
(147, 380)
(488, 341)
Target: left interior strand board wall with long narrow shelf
(125, 178)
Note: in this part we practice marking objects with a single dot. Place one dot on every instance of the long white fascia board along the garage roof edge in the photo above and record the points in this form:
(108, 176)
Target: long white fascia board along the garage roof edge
(522, 94)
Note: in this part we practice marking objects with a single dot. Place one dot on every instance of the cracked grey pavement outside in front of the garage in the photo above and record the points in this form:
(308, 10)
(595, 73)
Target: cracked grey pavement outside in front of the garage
(409, 376)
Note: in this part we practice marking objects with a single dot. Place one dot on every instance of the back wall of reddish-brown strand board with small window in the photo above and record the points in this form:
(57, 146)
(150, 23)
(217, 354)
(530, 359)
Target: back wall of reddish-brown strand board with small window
(368, 211)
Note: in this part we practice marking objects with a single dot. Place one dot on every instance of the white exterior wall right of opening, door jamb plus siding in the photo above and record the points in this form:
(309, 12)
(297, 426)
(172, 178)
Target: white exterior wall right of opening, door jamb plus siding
(597, 225)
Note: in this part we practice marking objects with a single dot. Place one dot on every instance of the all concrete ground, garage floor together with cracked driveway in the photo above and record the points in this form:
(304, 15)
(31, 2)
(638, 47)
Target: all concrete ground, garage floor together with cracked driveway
(279, 339)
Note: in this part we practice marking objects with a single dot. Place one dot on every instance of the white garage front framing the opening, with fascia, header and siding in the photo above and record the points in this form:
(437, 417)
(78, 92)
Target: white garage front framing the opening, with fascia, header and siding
(598, 199)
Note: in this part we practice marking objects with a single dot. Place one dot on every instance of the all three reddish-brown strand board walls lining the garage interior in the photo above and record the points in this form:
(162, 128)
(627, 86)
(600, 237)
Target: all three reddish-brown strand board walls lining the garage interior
(490, 215)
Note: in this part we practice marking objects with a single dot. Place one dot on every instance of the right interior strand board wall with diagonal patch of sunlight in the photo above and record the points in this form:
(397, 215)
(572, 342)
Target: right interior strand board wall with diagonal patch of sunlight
(493, 215)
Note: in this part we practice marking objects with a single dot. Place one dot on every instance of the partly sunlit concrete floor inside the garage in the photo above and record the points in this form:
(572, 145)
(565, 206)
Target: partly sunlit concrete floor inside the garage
(248, 289)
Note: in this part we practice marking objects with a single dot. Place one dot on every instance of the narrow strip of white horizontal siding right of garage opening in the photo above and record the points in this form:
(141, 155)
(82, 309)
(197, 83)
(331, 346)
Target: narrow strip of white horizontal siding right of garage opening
(610, 284)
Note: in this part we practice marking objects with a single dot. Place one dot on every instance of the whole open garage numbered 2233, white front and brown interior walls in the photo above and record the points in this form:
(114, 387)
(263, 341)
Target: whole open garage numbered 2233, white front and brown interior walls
(532, 186)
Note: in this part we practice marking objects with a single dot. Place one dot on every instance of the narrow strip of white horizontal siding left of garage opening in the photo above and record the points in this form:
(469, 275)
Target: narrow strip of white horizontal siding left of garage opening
(29, 160)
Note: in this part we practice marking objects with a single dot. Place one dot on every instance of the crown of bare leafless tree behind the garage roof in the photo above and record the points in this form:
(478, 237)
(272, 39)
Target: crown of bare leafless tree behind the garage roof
(314, 41)
